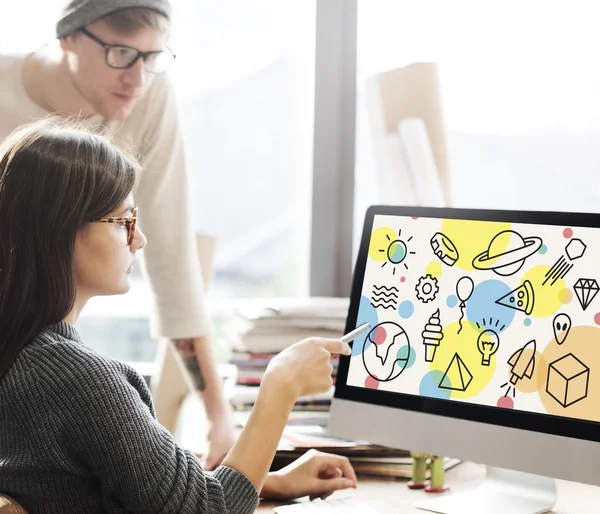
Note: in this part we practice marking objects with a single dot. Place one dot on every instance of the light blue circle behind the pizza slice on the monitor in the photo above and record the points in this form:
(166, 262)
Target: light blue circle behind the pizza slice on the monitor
(483, 309)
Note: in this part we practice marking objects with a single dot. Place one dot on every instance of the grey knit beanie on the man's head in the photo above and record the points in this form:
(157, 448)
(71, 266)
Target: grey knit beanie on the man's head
(77, 14)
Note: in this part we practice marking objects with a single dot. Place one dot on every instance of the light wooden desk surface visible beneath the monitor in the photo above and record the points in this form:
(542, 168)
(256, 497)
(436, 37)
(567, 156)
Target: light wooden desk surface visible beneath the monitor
(393, 497)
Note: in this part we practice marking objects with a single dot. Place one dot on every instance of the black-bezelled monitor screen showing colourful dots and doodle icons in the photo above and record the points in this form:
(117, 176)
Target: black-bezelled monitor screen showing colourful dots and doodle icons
(484, 315)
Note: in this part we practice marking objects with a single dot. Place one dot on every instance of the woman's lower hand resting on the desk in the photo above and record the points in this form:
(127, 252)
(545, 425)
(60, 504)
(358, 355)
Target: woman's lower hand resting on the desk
(315, 474)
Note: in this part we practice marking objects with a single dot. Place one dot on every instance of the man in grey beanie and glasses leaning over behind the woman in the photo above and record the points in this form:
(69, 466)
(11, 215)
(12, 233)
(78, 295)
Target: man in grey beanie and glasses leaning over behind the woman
(108, 66)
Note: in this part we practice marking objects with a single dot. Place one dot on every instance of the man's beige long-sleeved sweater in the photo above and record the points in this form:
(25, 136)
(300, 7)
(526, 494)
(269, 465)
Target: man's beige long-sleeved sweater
(153, 133)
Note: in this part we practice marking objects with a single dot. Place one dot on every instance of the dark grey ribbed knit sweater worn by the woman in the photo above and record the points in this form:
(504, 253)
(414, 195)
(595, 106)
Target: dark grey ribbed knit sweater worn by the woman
(78, 434)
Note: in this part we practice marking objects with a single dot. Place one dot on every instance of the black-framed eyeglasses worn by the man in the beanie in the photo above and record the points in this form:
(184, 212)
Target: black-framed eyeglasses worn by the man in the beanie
(123, 57)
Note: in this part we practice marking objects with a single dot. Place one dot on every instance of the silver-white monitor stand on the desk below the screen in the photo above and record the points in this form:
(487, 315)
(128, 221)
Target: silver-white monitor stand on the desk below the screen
(502, 491)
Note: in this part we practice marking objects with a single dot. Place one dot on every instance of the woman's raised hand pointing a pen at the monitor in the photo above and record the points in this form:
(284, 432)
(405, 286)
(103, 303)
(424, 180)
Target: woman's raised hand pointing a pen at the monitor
(304, 368)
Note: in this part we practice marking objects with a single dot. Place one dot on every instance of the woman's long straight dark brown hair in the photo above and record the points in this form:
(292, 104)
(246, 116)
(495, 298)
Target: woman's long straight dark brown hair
(54, 178)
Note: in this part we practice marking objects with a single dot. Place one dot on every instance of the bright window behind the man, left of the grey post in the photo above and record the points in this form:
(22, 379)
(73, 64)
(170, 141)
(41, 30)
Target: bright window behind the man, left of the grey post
(245, 76)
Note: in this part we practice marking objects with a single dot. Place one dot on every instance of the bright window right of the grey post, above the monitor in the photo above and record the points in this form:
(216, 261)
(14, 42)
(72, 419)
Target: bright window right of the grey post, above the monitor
(520, 95)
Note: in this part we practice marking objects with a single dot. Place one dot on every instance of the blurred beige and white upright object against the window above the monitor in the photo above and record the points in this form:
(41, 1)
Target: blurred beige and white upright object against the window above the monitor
(406, 122)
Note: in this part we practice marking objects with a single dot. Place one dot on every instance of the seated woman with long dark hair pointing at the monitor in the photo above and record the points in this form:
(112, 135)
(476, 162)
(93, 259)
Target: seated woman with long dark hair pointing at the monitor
(78, 429)
